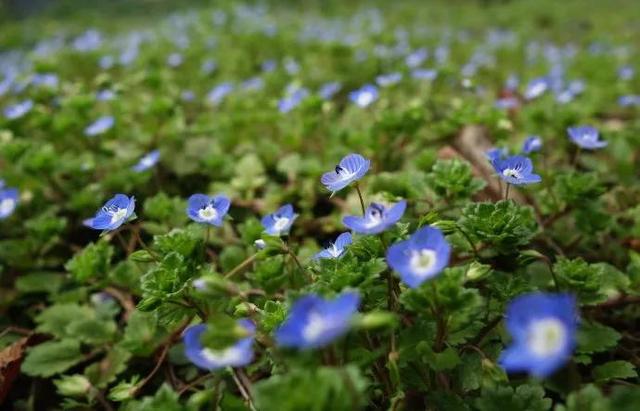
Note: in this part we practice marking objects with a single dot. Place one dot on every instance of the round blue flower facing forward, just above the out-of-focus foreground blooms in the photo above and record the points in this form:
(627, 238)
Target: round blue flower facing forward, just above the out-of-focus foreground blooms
(423, 256)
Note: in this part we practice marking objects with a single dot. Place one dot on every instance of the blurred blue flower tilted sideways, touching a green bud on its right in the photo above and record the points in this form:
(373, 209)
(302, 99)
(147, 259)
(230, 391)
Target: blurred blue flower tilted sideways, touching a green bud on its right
(315, 322)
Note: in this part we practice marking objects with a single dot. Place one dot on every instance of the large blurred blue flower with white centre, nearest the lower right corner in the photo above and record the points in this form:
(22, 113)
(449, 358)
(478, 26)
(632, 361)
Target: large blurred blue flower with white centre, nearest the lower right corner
(543, 327)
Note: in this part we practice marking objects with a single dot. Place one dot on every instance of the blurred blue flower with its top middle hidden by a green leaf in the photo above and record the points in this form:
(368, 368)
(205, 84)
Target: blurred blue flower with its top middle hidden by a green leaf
(237, 355)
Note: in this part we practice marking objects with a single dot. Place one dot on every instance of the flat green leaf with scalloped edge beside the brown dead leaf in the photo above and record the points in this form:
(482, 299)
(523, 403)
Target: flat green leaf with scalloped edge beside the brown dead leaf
(52, 357)
